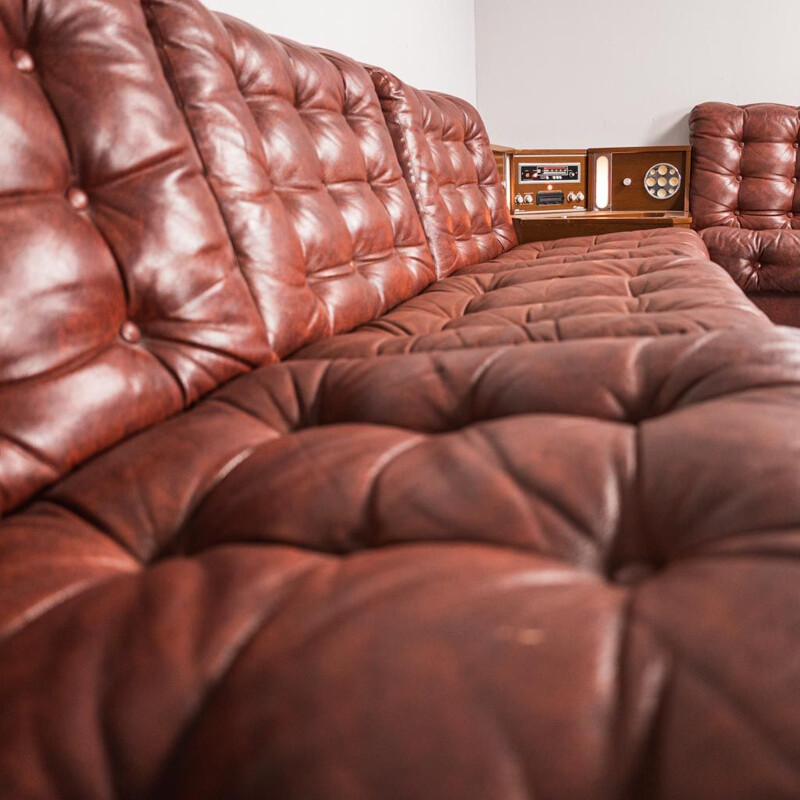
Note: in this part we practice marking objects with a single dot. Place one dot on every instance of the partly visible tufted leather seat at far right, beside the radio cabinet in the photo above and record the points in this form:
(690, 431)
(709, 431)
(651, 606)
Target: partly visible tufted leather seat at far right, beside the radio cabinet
(745, 199)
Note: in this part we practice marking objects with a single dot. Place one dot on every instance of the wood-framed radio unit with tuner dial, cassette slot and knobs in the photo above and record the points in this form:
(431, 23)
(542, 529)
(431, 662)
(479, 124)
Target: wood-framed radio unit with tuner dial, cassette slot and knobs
(548, 180)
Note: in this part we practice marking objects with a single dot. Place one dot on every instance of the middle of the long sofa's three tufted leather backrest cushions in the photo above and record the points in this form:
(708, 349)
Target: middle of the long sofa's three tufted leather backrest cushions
(298, 155)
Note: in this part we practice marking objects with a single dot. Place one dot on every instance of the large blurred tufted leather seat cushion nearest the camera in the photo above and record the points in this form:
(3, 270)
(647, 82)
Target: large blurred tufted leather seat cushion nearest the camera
(547, 565)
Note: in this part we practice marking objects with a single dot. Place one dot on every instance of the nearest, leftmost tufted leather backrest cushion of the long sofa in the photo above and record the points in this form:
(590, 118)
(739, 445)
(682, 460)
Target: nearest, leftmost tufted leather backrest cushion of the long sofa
(121, 302)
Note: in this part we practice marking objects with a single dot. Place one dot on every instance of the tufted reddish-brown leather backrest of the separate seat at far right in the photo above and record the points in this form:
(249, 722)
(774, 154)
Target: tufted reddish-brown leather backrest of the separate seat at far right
(745, 166)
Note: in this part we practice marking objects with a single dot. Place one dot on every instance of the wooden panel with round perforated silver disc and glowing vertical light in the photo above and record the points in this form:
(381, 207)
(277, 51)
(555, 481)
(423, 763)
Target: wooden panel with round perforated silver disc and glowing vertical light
(639, 179)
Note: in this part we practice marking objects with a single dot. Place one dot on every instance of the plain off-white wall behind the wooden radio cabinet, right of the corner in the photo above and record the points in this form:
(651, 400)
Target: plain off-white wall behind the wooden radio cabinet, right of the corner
(639, 66)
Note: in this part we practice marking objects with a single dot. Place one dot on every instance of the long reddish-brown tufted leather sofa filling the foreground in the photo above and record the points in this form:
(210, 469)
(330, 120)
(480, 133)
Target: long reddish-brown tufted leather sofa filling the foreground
(316, 486)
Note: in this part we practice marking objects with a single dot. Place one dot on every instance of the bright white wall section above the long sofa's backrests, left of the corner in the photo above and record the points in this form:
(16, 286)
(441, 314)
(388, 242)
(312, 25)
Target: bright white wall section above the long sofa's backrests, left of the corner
(428, 43)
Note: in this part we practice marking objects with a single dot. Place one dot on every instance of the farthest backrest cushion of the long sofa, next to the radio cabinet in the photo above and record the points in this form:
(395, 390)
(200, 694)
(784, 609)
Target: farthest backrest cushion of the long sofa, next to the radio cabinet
(447, 159)
